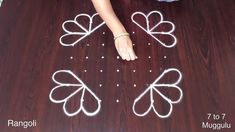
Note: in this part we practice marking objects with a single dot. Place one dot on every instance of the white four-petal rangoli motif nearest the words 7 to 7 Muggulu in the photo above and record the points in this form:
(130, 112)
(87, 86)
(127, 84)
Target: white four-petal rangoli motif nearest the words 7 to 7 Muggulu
(154, 88)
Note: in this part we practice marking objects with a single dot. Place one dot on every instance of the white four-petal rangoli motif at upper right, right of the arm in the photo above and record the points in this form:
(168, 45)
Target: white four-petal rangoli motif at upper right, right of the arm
(150, 30)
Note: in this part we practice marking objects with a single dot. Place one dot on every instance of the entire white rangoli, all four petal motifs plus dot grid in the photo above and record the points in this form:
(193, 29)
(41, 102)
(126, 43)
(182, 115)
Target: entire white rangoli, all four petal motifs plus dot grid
(81, 87)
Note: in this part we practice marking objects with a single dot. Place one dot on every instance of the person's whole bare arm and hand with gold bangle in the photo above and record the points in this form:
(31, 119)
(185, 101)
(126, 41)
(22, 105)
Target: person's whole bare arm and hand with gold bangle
(121, 37)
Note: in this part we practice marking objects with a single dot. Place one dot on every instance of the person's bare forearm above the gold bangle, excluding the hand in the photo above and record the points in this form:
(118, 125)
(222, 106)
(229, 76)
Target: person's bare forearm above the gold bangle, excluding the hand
(105, 10)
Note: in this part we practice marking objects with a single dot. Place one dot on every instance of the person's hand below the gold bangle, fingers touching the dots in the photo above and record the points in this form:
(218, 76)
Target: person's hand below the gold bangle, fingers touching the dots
(125, 48)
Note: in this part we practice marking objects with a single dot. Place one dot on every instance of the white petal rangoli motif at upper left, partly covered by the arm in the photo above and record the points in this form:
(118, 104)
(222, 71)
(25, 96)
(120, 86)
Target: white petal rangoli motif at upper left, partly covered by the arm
(84, 33)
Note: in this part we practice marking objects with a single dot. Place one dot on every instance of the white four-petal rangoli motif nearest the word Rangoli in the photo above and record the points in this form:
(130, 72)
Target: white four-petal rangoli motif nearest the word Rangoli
(81, 87)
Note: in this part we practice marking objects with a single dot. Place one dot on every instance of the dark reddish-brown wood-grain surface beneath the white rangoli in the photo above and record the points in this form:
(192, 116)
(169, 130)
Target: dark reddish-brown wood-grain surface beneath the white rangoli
(30, 53)
